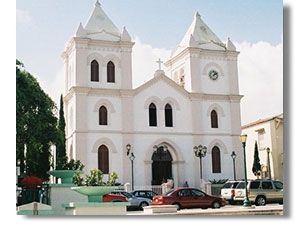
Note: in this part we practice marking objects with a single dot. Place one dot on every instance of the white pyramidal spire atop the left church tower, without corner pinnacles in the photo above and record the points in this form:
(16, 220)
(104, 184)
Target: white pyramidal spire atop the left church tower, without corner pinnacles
(100, 22)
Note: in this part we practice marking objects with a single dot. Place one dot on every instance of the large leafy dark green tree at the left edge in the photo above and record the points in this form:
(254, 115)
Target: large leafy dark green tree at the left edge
(35, 124)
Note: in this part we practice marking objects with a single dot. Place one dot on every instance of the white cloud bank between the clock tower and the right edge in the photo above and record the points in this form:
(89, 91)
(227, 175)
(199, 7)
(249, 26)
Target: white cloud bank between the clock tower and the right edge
(260, 68)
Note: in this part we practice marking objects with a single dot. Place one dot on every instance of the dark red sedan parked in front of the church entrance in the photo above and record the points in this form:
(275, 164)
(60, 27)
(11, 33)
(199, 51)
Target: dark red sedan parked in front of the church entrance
(188, 198)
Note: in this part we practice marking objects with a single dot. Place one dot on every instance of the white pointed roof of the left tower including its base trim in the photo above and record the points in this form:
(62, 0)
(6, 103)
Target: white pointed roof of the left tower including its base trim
(99, 26)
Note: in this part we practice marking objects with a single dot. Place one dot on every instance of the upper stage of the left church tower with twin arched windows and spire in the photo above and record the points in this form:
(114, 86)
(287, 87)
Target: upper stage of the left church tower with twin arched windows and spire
(99, 55)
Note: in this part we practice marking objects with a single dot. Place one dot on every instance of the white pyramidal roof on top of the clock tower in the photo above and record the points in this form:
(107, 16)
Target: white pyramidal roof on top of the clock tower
(201, 36)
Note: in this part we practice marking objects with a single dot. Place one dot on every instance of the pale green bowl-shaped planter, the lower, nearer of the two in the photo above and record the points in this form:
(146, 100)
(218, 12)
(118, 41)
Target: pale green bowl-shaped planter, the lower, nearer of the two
(94, 193)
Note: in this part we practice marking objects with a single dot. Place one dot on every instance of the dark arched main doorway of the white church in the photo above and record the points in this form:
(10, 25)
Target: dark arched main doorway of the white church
(161, 166)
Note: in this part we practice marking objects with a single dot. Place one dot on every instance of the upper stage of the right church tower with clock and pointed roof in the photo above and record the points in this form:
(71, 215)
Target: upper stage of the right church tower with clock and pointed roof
(201, 63)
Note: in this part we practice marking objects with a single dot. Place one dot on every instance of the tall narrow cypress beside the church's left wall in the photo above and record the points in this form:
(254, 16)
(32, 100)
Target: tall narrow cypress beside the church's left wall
(61, 135)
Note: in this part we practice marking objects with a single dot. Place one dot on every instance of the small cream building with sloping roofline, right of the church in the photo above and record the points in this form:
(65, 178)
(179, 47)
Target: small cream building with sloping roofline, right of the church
(268, 133)
